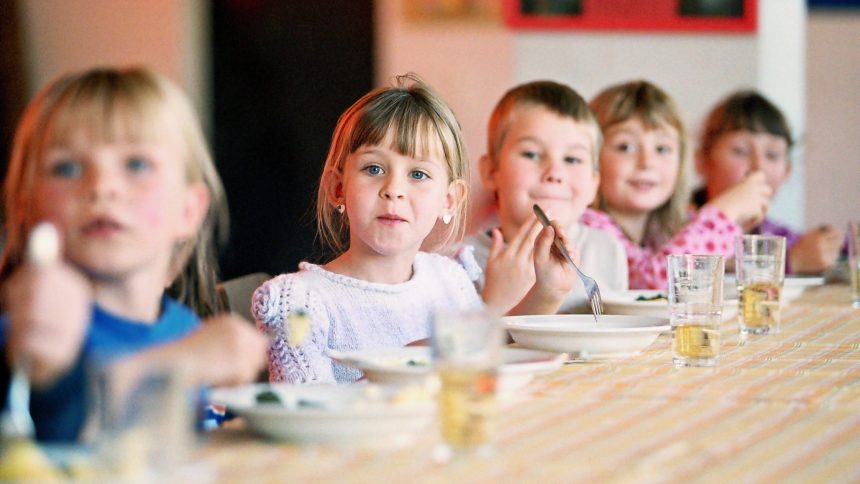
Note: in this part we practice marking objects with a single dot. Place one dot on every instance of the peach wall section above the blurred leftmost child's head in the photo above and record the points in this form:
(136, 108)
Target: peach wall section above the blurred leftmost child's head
(167, 35)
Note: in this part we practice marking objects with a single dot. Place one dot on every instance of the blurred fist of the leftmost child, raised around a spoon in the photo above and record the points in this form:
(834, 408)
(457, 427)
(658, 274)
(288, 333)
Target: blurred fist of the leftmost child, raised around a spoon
(49, 305)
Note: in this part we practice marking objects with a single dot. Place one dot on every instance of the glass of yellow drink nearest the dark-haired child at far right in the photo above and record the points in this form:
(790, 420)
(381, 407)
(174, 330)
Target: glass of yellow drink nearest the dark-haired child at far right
(760, 271)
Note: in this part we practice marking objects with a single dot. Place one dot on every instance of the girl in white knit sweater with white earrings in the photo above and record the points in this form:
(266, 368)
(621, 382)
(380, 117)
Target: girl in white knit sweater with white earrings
(396, 168)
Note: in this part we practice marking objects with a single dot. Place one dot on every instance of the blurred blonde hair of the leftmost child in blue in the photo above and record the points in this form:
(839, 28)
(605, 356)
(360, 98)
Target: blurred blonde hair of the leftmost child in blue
(110, 104)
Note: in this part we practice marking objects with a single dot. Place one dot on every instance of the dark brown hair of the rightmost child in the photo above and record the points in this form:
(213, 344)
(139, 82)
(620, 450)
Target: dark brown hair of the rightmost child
(745, 110)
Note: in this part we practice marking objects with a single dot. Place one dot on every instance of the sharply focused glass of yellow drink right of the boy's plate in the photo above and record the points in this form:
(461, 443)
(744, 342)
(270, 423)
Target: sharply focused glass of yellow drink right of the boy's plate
(695, 308)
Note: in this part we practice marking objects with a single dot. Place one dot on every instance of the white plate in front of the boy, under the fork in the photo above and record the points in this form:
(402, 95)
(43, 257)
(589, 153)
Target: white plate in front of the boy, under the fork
(578, 335)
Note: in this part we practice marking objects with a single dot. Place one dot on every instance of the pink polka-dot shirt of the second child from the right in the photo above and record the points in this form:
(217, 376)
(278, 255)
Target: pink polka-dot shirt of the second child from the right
(708, 232)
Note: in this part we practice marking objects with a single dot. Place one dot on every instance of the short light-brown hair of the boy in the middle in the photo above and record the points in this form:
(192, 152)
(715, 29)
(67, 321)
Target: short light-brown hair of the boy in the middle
(556, 97)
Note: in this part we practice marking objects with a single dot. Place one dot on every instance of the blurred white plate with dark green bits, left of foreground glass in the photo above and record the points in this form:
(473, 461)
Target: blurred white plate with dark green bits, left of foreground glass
(341, 415)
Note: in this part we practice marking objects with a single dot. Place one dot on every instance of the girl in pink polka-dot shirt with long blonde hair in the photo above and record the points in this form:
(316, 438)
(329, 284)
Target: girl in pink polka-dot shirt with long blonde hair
(643, 198)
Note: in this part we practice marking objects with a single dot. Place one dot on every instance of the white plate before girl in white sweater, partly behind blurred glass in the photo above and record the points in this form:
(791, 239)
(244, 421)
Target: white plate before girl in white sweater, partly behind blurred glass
(413, 365)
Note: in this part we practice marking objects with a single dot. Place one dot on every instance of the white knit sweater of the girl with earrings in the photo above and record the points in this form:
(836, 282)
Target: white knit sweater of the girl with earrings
(352, 314)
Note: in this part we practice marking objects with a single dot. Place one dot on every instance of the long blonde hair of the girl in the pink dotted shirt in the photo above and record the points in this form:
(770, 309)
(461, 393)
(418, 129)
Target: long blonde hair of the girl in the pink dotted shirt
(654, 108)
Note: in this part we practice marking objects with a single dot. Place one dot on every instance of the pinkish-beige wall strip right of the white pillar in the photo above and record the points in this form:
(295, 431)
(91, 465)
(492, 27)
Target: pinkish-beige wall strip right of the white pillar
(833, 135)
